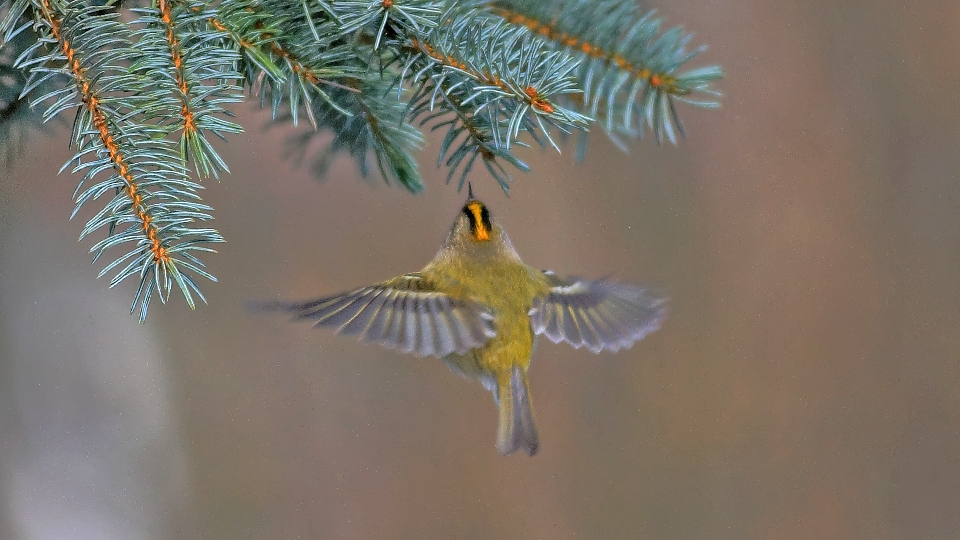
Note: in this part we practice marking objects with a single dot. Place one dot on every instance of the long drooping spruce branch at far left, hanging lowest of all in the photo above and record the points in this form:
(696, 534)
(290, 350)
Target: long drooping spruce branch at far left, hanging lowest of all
(154, 201)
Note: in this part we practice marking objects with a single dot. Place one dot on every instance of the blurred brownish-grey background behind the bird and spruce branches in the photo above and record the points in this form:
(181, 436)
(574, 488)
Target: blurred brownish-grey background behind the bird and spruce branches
(806, 384)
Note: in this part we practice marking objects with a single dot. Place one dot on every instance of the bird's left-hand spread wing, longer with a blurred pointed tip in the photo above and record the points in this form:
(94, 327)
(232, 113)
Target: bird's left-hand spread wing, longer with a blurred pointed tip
(404, 313)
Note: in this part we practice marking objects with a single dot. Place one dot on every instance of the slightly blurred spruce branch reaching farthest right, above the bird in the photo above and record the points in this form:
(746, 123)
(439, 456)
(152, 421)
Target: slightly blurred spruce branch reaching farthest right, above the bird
(630, 72)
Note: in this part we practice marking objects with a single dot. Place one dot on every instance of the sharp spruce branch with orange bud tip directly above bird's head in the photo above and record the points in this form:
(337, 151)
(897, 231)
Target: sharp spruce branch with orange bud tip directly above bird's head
(486, 83)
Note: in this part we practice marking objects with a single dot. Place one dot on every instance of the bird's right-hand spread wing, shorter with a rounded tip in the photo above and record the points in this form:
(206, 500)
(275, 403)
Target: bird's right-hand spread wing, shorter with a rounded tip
(596, 314)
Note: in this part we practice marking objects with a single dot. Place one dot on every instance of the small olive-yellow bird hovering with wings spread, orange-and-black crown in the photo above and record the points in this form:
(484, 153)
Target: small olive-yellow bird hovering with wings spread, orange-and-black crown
(479, 308)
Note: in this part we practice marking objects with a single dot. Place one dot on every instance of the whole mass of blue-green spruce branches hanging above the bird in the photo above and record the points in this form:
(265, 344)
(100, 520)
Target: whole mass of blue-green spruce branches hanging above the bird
(149, 88)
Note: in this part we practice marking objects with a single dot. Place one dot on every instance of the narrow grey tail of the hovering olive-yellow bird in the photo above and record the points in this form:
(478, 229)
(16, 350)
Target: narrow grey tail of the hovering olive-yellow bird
(516, 430)
